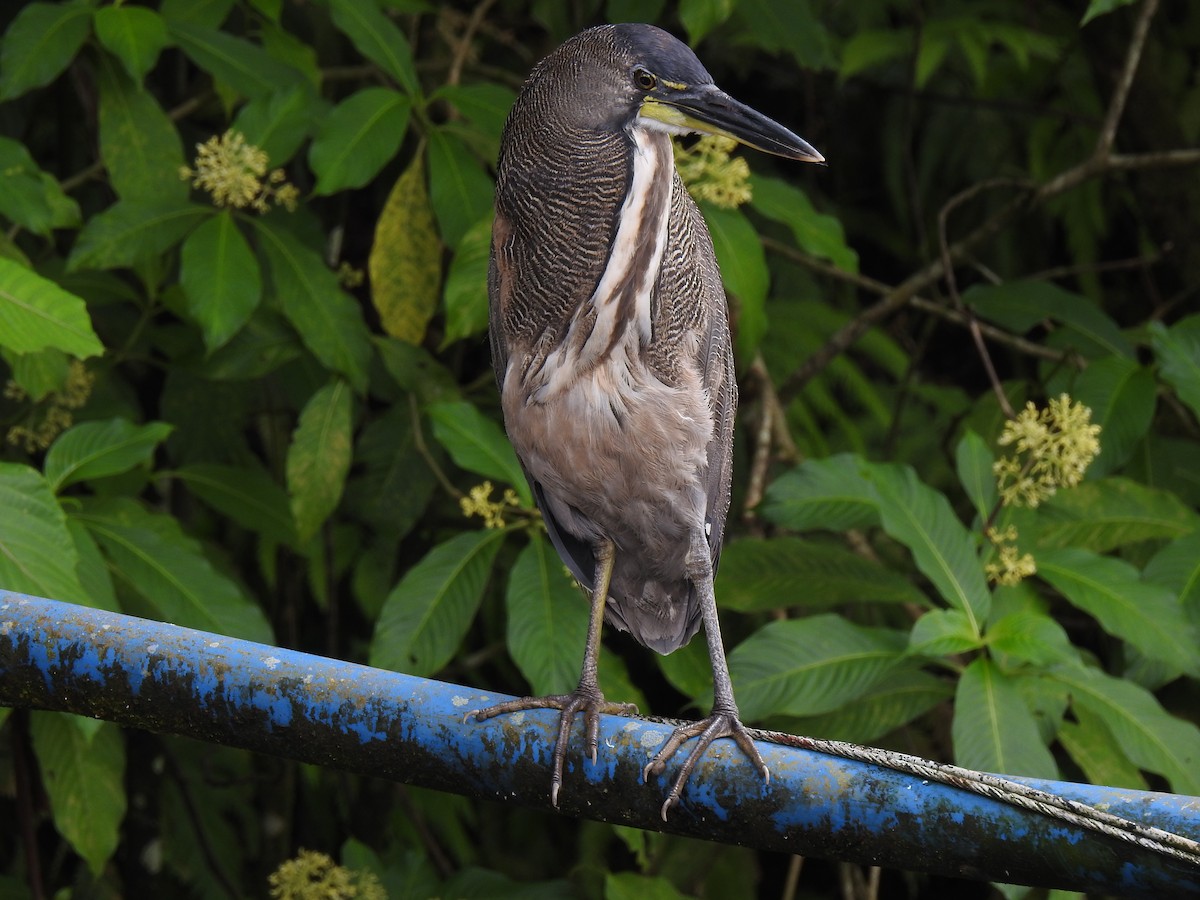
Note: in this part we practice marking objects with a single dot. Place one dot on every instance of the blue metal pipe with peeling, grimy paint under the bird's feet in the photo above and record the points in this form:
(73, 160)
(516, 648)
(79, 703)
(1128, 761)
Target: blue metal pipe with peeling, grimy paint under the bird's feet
(178, 681)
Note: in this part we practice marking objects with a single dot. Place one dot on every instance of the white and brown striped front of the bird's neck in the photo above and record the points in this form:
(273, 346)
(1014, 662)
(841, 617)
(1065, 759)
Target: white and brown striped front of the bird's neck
(620, 310)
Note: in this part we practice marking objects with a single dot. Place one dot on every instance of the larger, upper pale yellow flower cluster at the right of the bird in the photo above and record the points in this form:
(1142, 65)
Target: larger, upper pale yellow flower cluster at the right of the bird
(1054, 447)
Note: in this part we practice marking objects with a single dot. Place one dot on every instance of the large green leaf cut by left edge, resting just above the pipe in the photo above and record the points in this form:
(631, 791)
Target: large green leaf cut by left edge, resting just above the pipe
(38, 555)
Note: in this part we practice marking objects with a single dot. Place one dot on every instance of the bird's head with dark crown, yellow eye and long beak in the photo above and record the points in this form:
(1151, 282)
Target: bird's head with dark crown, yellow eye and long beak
(622, 77)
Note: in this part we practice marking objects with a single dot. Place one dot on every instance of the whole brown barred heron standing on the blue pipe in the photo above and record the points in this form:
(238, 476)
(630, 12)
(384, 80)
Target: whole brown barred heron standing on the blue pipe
(610, 340)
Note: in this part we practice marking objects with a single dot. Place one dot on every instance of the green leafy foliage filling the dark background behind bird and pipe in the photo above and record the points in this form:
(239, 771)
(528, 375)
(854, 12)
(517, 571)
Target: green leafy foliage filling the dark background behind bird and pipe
(268, 423)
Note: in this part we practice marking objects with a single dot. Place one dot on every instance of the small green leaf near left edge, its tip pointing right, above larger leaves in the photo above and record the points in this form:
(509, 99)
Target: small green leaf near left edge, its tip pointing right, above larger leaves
(99, 449)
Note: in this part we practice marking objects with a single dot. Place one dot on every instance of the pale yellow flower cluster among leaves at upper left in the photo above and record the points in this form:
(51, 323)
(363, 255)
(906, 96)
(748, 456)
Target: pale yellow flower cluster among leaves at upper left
(235, 173)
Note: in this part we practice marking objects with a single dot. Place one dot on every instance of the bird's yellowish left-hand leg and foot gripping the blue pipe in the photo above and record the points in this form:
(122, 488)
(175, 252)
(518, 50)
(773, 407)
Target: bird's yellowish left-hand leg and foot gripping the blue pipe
(586, 698)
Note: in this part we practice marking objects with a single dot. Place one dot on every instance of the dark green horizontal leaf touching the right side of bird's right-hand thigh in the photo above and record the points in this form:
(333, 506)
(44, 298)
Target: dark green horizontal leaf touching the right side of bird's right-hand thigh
(782, 573)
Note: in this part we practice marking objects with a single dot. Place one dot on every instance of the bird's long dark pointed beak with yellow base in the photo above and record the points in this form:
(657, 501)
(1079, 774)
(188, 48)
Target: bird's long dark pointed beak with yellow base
(707, 110)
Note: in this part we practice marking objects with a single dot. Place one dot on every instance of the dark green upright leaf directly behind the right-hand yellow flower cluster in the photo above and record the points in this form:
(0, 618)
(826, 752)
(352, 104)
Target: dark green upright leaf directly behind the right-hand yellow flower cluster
(1121, 397)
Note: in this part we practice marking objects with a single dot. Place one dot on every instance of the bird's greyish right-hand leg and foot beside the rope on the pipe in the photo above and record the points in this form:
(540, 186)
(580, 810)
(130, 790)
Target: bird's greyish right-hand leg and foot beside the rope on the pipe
(724, 722)
